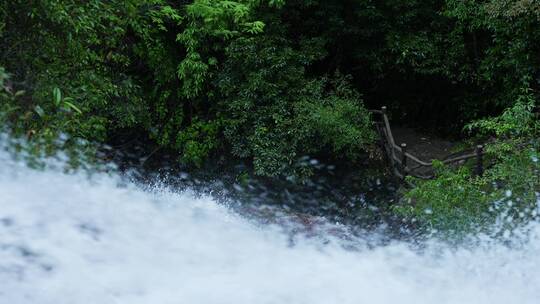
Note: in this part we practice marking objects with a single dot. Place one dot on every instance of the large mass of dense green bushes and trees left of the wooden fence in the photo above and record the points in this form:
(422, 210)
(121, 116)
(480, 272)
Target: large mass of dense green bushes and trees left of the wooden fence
(198, 79)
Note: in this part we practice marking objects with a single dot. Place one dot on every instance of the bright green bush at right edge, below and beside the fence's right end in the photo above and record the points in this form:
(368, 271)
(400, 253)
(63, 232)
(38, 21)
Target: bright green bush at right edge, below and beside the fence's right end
(507, 193)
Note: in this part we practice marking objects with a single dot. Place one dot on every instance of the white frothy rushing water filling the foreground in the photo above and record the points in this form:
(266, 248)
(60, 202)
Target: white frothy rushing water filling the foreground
(68, 238)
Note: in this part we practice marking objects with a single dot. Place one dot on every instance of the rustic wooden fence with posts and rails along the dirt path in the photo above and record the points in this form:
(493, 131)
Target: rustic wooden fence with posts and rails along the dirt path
(405, 164)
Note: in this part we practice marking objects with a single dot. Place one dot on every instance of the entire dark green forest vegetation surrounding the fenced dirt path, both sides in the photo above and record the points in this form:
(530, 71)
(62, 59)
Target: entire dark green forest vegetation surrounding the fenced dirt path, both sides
(270, 83)
